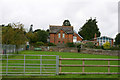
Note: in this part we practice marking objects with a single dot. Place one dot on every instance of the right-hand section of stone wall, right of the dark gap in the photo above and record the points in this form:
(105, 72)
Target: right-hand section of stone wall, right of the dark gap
(100, 52)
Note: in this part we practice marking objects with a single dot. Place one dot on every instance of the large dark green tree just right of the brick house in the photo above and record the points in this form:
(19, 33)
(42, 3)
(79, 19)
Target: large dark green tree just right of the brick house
(89, 29)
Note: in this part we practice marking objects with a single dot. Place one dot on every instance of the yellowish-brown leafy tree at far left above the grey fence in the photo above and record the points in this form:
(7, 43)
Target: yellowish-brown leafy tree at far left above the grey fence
(14, 34)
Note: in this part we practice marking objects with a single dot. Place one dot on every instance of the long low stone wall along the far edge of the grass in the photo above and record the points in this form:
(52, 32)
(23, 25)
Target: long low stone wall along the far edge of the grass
(75, 50)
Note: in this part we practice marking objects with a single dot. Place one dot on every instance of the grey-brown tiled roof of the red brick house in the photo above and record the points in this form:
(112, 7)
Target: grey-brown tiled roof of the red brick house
(56, 29)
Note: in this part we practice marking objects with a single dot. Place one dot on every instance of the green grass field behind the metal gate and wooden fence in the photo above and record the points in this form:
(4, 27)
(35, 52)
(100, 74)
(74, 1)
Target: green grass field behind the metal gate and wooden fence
(73, 69)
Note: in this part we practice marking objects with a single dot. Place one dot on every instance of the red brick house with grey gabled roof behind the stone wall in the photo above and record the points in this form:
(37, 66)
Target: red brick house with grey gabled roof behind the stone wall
(63, 34)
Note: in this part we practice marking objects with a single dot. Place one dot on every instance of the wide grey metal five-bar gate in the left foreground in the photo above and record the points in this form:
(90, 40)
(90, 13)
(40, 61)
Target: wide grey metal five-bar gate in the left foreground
(30, 65)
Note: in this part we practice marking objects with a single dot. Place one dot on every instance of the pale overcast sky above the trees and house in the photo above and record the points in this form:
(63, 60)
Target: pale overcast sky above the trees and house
(42, 13)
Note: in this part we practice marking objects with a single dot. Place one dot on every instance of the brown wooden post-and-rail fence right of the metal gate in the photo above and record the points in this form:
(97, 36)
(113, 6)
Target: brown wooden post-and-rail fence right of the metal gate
(83, 65)
